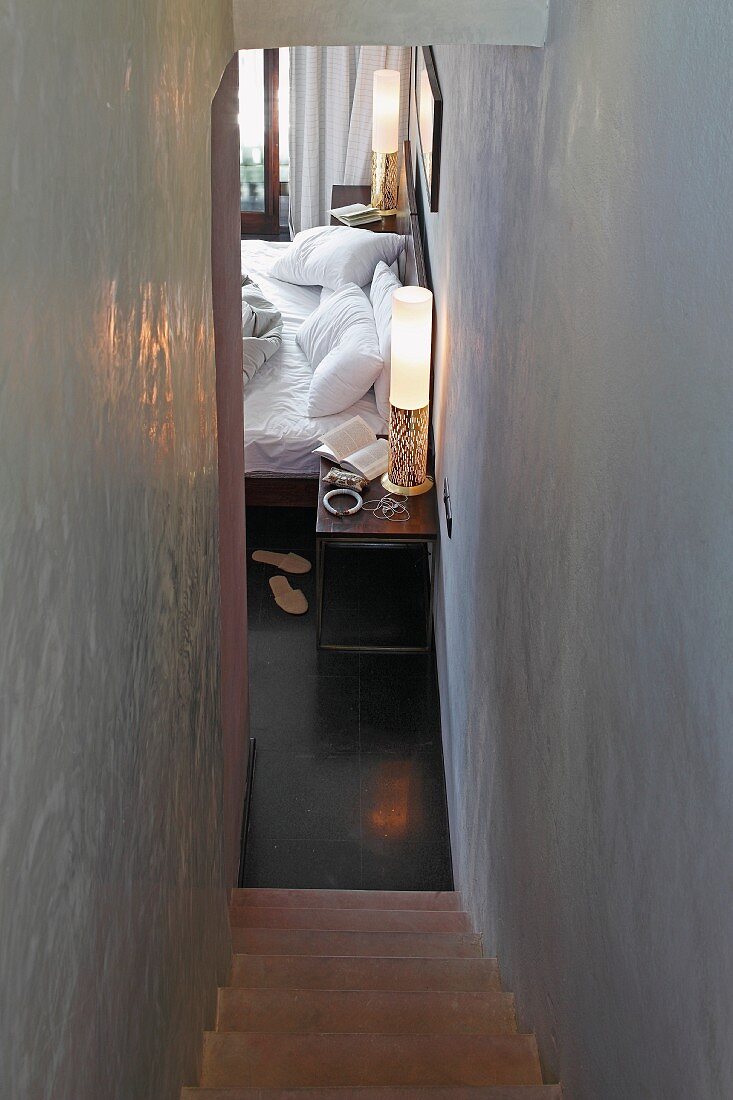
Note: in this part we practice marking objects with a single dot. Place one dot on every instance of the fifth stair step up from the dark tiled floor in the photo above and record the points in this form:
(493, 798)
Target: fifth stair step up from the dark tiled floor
(356, 1011)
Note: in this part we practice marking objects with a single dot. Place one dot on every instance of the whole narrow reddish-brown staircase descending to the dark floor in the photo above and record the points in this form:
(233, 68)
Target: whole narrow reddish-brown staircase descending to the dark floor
(371, 995)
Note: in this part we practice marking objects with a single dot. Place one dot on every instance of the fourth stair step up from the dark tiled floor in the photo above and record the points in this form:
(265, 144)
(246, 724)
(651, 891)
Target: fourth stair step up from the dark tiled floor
(308, 972)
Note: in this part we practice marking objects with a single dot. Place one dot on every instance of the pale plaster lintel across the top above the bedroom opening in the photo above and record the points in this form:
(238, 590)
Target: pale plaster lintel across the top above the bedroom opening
(389, 23)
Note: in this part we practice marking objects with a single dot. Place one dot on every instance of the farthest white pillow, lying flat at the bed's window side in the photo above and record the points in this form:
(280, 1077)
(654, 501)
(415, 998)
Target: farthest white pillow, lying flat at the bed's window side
(334, 256)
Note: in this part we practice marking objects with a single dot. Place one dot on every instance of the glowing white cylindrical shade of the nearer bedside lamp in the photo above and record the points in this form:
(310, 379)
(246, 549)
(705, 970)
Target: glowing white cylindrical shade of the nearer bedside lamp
(412, 337)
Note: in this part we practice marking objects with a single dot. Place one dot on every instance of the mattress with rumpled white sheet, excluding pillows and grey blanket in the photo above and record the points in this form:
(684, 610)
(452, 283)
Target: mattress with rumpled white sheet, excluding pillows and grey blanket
(279, 437)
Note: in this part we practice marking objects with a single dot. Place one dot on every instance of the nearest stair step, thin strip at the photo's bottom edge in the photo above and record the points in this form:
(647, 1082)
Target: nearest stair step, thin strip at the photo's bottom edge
(381, 1093)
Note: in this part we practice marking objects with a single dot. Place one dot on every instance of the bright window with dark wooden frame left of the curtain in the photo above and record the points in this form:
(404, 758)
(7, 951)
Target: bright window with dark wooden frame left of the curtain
(264, 147)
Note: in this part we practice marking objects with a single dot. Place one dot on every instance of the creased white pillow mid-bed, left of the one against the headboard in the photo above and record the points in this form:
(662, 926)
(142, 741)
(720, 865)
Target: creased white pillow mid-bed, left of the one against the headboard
(341, 342)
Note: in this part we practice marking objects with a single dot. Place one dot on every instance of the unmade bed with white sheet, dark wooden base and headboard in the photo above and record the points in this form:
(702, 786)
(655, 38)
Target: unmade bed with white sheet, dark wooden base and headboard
(280, 467)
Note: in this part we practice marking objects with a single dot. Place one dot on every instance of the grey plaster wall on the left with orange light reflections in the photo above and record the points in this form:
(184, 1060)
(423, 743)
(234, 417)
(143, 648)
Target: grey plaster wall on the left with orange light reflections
(113, 916)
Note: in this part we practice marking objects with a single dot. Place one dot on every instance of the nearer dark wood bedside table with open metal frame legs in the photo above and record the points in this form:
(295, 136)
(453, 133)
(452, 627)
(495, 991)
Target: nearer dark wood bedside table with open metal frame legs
(366, 532)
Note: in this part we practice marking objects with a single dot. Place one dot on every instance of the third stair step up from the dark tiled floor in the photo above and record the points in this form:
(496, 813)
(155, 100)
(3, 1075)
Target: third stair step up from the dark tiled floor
(311, 942)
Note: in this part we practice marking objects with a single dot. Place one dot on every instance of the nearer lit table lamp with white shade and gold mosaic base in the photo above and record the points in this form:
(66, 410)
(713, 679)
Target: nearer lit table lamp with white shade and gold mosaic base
(410, 392)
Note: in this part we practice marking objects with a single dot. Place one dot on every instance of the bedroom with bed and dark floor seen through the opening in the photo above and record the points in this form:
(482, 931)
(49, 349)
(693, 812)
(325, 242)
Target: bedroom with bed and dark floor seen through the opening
(340, 163)
